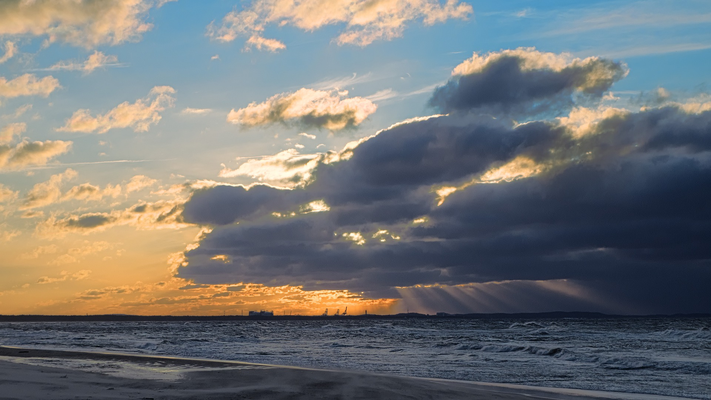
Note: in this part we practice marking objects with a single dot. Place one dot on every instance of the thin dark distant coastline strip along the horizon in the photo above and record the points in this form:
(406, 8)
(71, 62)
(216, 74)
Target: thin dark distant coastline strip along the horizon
(187, 318)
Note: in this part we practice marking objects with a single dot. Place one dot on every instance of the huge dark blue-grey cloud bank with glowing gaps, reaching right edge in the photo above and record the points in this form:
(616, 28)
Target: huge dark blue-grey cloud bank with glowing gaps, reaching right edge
(612, 202)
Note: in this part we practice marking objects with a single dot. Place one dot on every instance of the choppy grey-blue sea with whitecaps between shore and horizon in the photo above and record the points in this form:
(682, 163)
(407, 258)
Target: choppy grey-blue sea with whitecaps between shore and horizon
(660, 356)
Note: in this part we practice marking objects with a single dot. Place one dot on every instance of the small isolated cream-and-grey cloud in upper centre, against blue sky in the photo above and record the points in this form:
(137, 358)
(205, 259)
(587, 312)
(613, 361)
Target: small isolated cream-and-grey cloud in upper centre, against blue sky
(308, 108)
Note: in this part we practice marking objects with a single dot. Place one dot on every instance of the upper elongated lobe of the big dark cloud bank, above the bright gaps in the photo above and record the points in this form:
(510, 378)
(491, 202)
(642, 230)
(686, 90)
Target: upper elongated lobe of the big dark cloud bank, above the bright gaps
(387, 178)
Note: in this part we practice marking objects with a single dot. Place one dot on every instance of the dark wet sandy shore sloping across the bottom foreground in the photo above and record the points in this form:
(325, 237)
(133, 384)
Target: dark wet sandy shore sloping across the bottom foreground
(53, 374)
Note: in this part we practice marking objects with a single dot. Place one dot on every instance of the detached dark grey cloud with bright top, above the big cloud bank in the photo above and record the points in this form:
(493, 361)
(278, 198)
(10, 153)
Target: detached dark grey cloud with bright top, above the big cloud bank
(524, 82)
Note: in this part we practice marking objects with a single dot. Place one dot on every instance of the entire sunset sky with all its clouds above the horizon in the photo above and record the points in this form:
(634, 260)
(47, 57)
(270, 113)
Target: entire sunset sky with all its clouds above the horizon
(210, 158)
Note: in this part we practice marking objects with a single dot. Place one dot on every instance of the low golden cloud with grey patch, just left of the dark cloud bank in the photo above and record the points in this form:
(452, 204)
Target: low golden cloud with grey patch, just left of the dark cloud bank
(145, 216)
